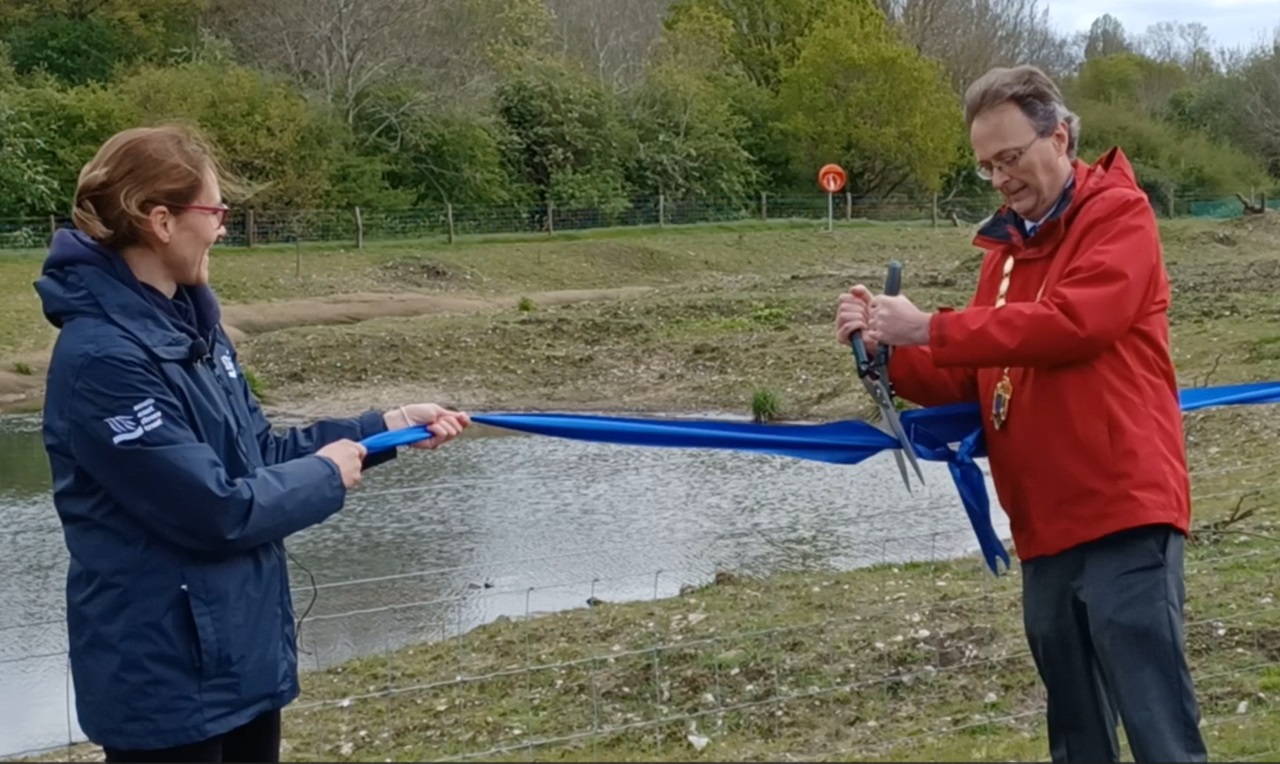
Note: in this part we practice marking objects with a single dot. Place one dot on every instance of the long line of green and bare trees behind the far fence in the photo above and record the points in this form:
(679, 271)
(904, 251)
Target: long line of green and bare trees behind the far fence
(391, 104)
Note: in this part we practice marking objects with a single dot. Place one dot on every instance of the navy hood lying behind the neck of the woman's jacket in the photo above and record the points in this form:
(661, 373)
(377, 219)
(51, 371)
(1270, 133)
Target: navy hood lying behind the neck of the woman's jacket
(85, 280)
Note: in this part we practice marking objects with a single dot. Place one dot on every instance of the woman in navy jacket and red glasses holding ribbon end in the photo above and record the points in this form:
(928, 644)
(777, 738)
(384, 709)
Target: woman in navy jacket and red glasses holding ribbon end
(173, 491)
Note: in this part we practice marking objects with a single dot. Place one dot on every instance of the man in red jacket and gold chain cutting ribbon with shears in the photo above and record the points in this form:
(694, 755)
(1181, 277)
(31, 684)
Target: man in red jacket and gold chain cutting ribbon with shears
(1066, 347)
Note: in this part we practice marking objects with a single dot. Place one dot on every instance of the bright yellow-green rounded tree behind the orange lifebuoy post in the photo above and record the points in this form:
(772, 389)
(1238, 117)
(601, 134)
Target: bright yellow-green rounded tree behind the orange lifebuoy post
(860, 98)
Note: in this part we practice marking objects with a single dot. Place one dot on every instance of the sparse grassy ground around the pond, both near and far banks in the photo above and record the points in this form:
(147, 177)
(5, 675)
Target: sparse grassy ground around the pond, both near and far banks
(921, 662)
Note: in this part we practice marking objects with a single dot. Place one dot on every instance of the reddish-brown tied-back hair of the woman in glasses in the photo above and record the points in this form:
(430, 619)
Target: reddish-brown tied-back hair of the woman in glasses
(136, 171)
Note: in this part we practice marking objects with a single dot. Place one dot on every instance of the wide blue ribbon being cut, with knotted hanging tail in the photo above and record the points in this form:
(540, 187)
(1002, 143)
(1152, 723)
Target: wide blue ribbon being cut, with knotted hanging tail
(931, 433)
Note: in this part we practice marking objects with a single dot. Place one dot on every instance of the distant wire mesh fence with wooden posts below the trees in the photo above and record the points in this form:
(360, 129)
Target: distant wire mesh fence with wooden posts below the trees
(356, 226)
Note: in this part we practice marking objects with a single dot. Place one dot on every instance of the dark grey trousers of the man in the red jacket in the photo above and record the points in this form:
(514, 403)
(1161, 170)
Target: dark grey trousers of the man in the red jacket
(1105, 626)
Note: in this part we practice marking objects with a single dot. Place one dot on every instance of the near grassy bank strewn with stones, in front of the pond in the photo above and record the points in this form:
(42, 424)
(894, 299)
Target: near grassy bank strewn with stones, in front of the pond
(909, 664)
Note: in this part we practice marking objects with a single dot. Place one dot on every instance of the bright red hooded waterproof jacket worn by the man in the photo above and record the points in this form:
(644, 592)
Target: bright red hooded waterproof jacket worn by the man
(1094, 441)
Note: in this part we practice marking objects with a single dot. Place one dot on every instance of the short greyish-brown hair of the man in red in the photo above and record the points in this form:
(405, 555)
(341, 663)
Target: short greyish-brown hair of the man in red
(1035, 94)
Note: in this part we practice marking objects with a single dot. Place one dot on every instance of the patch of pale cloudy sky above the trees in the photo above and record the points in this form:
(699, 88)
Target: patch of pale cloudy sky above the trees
(1231, 22)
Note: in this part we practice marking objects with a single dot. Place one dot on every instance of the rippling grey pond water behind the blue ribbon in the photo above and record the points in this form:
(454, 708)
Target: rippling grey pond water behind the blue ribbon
(438, 543)
